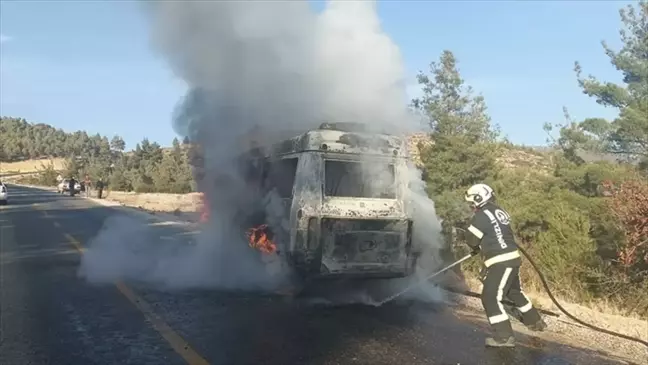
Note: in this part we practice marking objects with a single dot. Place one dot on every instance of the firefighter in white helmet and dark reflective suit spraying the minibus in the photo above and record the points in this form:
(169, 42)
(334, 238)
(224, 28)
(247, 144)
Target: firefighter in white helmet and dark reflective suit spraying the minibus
(490, 233)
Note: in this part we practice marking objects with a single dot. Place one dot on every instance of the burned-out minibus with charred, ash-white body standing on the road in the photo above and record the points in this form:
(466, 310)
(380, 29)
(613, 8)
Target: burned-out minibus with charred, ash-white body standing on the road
(338, 203)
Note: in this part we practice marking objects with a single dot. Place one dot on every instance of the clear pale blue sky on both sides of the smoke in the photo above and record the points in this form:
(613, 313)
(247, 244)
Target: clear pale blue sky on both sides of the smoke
(88, 64)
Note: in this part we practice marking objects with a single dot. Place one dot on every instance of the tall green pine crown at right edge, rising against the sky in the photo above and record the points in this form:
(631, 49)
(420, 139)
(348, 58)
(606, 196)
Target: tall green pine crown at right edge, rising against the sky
(627, 135)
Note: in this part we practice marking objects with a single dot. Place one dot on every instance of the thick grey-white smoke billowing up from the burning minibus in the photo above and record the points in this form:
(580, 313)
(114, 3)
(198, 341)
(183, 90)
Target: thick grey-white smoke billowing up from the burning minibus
(279, 67)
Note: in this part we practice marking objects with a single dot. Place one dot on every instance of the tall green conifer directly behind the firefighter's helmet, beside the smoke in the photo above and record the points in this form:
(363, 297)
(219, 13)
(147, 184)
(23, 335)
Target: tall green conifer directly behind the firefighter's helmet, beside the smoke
(463, 151)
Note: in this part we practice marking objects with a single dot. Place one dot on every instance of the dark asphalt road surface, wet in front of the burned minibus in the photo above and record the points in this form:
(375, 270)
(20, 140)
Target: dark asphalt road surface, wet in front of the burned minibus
(51, 316)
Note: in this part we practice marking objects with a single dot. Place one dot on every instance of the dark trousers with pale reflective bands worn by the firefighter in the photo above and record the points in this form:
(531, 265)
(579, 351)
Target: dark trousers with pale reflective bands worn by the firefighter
(502, 281)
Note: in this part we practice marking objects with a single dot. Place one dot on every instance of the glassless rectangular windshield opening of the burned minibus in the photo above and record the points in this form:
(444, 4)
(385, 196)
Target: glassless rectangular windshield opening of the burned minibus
(359, 179)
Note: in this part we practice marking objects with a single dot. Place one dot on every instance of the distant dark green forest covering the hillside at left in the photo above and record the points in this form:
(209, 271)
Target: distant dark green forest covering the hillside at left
(149, 168)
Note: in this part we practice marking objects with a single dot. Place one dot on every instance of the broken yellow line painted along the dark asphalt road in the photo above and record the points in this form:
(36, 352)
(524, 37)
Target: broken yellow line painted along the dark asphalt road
(179, 345)
